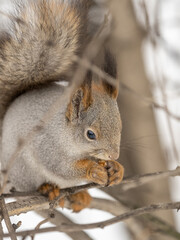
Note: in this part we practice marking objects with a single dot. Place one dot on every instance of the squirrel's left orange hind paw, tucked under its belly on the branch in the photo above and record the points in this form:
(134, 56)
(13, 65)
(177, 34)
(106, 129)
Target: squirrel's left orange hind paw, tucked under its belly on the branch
(51, 191)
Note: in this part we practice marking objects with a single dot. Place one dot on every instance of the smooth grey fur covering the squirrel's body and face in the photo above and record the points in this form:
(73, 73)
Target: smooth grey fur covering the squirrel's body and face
(60, 144)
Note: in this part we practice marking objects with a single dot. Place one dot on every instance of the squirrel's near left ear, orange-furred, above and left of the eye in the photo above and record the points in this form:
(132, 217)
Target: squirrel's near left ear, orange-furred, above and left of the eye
(80, 101)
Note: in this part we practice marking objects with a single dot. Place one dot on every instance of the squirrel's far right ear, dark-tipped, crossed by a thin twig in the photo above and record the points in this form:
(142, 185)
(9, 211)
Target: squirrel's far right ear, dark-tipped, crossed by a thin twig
(110, 67)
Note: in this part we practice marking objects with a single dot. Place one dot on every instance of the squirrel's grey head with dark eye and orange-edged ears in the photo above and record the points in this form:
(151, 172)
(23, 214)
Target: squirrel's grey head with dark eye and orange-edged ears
(95, 119)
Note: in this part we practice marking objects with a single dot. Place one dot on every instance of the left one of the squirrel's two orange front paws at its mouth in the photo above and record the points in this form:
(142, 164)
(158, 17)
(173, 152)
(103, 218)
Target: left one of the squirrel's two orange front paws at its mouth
(97, 173)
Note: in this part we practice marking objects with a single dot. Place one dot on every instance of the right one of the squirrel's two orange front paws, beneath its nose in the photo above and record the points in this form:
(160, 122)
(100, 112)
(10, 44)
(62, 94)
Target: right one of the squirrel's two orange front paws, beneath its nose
(115, 171)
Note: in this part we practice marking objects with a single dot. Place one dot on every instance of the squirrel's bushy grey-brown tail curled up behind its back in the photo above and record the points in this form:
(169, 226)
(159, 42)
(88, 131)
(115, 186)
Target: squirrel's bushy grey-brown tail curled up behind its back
(39, 45)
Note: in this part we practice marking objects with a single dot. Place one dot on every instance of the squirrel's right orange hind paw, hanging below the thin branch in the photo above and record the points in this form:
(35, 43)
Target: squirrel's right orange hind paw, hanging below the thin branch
(79, 200)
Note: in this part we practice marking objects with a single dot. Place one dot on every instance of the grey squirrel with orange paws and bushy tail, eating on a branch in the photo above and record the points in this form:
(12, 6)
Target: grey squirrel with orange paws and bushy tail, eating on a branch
(81, 142)
